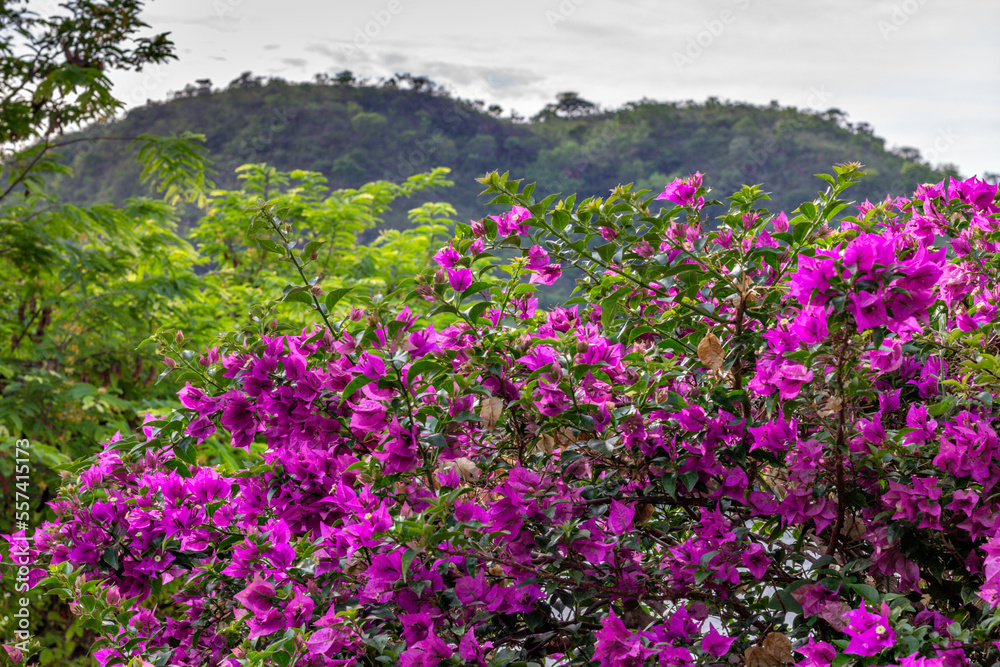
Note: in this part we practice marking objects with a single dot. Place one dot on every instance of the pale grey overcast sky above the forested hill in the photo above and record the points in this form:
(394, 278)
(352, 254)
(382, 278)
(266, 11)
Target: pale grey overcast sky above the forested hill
(923, 73)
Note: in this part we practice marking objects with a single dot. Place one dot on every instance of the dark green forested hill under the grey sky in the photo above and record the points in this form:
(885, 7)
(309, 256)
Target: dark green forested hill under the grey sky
(356, 131)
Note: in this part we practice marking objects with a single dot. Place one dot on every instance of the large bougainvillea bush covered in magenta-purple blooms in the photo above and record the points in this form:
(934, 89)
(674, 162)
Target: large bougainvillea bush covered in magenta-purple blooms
(747, 438)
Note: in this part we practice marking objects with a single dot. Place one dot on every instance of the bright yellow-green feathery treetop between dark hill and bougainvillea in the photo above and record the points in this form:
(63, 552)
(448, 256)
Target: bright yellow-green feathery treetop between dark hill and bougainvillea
(242, 272)
